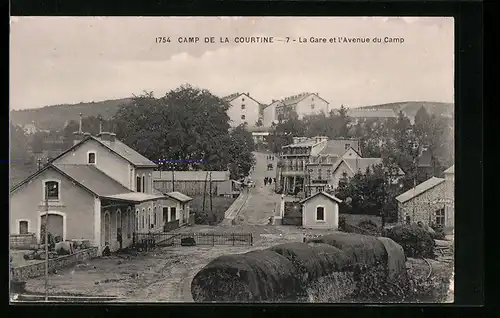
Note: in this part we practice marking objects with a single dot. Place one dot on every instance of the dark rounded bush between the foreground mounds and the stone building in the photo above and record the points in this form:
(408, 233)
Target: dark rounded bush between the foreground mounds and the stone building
(416, 242)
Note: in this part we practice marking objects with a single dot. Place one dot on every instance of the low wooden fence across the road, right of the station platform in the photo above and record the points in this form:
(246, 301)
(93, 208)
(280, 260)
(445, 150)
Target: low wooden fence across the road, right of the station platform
(149, 240)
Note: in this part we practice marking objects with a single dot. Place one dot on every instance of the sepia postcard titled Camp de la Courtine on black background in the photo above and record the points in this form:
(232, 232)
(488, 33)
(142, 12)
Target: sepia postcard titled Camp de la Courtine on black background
(232, 160)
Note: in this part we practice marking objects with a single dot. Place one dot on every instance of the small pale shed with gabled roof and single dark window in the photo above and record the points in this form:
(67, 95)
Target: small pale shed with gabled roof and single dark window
(320, 211)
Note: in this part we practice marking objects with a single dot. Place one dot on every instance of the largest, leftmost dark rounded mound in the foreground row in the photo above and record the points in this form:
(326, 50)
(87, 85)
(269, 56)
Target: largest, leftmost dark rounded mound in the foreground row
(258, 276)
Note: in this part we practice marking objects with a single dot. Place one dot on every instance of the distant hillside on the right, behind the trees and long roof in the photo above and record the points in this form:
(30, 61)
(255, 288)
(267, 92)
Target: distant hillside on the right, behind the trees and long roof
(411, 108)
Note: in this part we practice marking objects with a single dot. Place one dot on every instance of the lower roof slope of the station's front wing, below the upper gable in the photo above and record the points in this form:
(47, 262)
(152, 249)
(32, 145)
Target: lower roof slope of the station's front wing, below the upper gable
(93, 179)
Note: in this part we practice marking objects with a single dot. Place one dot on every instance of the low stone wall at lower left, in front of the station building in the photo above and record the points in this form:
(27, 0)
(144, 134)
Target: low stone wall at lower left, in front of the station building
(22, 273)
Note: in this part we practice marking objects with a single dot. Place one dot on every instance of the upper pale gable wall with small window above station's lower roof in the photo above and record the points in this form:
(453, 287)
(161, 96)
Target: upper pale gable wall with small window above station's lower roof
(105, 160)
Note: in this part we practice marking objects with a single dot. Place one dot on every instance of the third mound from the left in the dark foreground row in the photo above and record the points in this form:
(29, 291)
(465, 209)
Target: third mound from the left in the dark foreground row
(362, 249)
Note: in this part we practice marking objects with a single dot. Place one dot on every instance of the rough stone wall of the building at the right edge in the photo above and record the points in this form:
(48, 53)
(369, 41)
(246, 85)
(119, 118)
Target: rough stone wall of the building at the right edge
(425, 210)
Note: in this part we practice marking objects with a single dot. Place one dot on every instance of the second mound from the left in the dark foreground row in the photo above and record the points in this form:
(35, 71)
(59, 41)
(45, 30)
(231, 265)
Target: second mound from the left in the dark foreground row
(313, 262)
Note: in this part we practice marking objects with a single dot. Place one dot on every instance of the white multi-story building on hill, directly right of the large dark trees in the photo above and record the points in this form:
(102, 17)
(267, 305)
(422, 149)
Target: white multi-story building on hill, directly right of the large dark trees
(243, 109)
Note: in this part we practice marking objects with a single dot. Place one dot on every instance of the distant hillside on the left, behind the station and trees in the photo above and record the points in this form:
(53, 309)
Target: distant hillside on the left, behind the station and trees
(54, 117)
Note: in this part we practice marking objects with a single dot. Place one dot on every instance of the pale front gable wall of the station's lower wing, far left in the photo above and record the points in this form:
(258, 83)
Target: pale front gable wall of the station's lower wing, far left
(75, 203)
